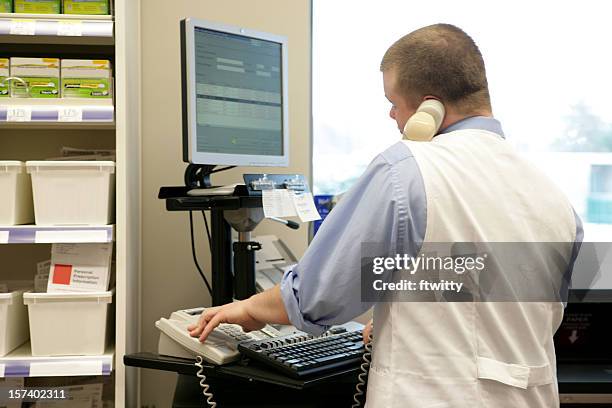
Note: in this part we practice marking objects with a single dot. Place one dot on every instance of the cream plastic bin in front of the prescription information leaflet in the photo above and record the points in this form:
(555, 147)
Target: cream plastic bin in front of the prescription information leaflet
(68, 324)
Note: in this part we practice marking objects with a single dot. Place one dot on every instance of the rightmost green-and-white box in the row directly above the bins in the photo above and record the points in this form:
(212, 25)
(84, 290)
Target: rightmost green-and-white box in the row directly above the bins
(86, 79)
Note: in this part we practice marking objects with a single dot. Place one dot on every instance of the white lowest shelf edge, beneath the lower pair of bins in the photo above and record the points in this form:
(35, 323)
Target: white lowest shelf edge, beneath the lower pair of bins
(21, 363)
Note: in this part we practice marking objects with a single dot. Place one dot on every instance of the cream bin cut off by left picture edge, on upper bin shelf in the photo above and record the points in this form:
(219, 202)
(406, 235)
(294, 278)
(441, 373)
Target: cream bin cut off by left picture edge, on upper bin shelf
(16, 207)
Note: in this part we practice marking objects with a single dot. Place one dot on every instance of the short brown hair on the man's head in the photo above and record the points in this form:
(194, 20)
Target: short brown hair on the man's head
(443, 61)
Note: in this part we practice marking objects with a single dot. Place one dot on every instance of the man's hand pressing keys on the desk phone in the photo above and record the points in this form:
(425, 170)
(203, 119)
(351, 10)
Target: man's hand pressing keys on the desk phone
(236, 313)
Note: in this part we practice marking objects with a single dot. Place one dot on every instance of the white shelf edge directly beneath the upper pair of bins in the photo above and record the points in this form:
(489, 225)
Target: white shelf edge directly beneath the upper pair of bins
(36, 234)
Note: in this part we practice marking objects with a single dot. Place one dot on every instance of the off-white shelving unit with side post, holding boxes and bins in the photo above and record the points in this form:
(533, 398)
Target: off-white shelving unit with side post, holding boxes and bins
(30, 129)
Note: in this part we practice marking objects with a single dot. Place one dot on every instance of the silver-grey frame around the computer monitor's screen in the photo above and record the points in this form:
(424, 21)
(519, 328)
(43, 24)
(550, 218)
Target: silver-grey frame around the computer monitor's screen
(188, 85)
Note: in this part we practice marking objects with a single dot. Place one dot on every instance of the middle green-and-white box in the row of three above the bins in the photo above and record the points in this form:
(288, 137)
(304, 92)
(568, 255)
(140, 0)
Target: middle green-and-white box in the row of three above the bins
(40, 74)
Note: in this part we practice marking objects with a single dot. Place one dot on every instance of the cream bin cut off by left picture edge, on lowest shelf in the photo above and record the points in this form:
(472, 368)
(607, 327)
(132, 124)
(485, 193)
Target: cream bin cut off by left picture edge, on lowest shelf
(13, 321)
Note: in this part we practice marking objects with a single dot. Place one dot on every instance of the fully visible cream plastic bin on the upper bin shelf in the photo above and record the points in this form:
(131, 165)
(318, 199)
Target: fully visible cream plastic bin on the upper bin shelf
(73, 192)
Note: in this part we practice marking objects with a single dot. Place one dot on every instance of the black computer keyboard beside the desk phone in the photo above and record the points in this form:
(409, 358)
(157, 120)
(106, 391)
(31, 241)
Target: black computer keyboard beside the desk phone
(300, 355)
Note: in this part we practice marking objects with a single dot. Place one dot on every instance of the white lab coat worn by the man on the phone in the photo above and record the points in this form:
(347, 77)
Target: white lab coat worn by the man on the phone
(474, 355)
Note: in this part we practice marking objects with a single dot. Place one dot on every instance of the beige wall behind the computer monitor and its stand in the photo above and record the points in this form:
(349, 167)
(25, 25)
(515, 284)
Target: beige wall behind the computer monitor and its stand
(169, 279)
